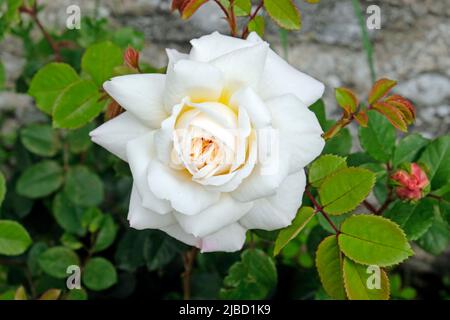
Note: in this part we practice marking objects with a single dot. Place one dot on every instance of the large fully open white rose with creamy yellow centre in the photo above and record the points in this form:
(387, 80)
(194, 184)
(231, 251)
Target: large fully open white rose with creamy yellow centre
(218, 145)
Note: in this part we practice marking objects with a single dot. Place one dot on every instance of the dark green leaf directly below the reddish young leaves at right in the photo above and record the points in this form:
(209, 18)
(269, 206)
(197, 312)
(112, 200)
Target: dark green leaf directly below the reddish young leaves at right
(378, 139)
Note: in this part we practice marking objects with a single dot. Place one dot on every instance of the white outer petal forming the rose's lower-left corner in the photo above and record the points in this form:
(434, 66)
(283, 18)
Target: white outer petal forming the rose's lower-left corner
(142, 218)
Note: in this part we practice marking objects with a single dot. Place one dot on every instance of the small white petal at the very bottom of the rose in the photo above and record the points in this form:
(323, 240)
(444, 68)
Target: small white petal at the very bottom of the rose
(228, 239)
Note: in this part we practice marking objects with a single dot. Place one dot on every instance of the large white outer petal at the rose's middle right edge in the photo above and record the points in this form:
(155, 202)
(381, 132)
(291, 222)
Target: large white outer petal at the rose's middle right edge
(300, 131)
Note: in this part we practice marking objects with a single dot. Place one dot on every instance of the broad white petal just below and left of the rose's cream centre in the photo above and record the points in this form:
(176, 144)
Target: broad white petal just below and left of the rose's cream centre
(185, 196)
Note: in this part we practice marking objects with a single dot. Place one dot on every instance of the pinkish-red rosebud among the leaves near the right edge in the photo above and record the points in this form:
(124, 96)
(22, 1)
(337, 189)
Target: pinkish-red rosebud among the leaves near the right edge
(410, 185)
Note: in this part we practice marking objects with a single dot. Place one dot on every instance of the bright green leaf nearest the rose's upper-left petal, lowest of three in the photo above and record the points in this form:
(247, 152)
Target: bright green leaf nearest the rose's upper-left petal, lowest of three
(77, 105)
